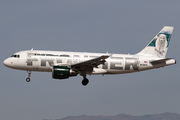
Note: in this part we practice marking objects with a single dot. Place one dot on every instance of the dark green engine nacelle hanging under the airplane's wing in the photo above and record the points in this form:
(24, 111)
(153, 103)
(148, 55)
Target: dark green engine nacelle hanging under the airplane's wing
(62, 72)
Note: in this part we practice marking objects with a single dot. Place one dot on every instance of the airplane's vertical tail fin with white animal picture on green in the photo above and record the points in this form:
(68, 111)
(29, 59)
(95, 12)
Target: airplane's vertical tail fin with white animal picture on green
(158, 46)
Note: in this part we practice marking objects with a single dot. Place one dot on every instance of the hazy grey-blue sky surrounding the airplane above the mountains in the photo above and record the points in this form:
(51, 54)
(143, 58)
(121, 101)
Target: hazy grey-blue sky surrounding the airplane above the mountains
(116, 26)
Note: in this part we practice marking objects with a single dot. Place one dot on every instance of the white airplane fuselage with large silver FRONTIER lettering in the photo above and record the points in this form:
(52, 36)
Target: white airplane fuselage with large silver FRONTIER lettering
(38, 60)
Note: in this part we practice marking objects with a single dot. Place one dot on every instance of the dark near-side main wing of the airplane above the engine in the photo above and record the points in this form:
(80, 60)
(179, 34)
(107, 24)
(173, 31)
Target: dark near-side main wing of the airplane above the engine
(90, 63)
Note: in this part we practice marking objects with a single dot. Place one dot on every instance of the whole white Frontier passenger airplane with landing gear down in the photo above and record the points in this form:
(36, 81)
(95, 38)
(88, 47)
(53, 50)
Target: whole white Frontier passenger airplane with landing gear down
(68, 64)
